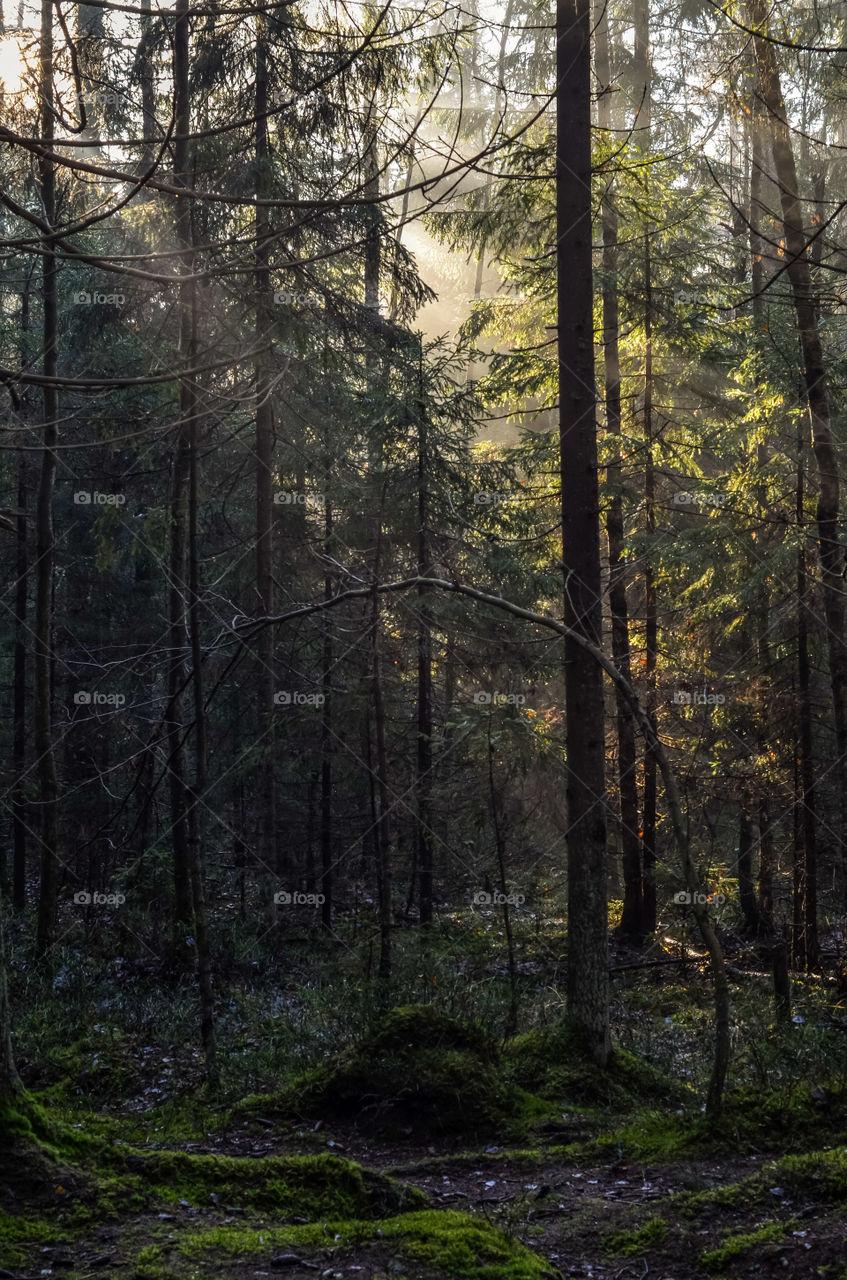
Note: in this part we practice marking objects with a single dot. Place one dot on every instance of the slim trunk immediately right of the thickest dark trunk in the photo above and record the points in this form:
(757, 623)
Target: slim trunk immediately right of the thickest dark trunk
(633, 915)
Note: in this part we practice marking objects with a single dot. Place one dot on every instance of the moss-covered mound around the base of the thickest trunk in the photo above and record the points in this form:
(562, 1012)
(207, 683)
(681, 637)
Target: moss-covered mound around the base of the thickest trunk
(553, 1063)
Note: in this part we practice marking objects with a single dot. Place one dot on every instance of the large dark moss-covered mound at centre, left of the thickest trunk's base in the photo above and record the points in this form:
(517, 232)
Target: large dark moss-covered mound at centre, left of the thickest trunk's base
(419, 1072)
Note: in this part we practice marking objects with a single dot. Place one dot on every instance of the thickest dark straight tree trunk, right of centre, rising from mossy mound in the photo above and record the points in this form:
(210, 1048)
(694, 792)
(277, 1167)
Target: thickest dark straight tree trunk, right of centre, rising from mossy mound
(588, 993)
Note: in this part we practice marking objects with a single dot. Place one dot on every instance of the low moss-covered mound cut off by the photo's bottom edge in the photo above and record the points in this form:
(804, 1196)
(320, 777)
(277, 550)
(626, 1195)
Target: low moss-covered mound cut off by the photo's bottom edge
(428, 1246)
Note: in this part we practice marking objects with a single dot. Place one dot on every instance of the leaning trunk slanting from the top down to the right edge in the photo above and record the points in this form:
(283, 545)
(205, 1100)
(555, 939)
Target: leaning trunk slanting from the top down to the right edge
(832, 560)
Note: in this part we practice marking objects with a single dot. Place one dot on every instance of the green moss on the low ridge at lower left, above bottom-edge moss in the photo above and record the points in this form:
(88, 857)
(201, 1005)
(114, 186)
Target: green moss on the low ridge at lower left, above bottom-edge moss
(308, 1187)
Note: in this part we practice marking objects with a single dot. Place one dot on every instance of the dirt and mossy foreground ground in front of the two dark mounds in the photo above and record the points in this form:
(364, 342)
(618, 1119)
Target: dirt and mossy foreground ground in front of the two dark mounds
(484, 1214)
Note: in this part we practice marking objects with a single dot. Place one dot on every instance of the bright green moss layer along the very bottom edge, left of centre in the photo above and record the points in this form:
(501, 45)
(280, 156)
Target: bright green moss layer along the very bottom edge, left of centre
(438, 1244)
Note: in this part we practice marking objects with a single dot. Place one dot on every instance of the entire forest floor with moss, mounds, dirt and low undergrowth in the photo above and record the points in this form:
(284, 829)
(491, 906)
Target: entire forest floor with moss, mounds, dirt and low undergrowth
(425, 1150)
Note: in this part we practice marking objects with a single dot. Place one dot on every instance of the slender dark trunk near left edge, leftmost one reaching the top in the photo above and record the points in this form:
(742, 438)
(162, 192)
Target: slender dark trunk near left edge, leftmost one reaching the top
(45, 548)
